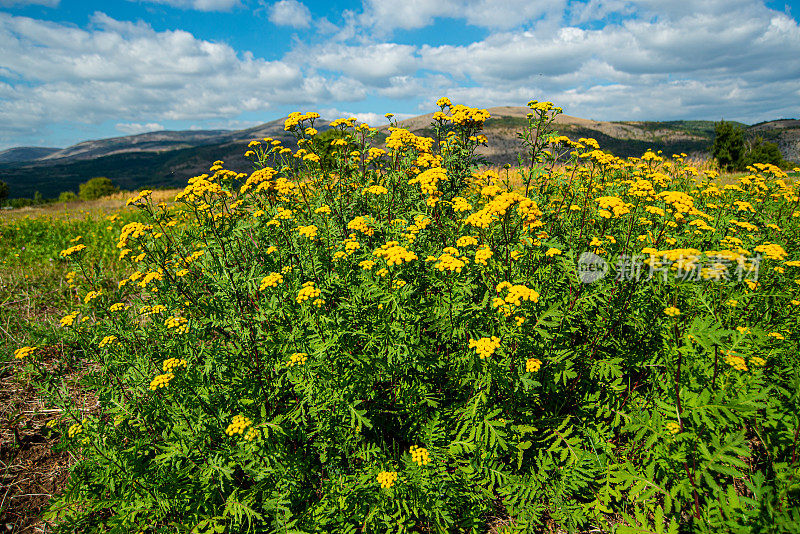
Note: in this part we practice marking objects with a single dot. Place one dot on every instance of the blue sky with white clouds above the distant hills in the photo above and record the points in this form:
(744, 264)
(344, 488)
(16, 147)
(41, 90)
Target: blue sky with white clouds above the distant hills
(77, 70)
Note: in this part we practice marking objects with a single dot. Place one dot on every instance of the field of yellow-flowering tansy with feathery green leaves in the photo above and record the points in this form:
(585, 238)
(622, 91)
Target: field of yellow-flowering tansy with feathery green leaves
(359, 339)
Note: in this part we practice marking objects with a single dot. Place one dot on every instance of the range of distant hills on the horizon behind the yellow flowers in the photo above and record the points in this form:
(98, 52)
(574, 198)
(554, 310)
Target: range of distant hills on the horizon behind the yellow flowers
(170, 158)
